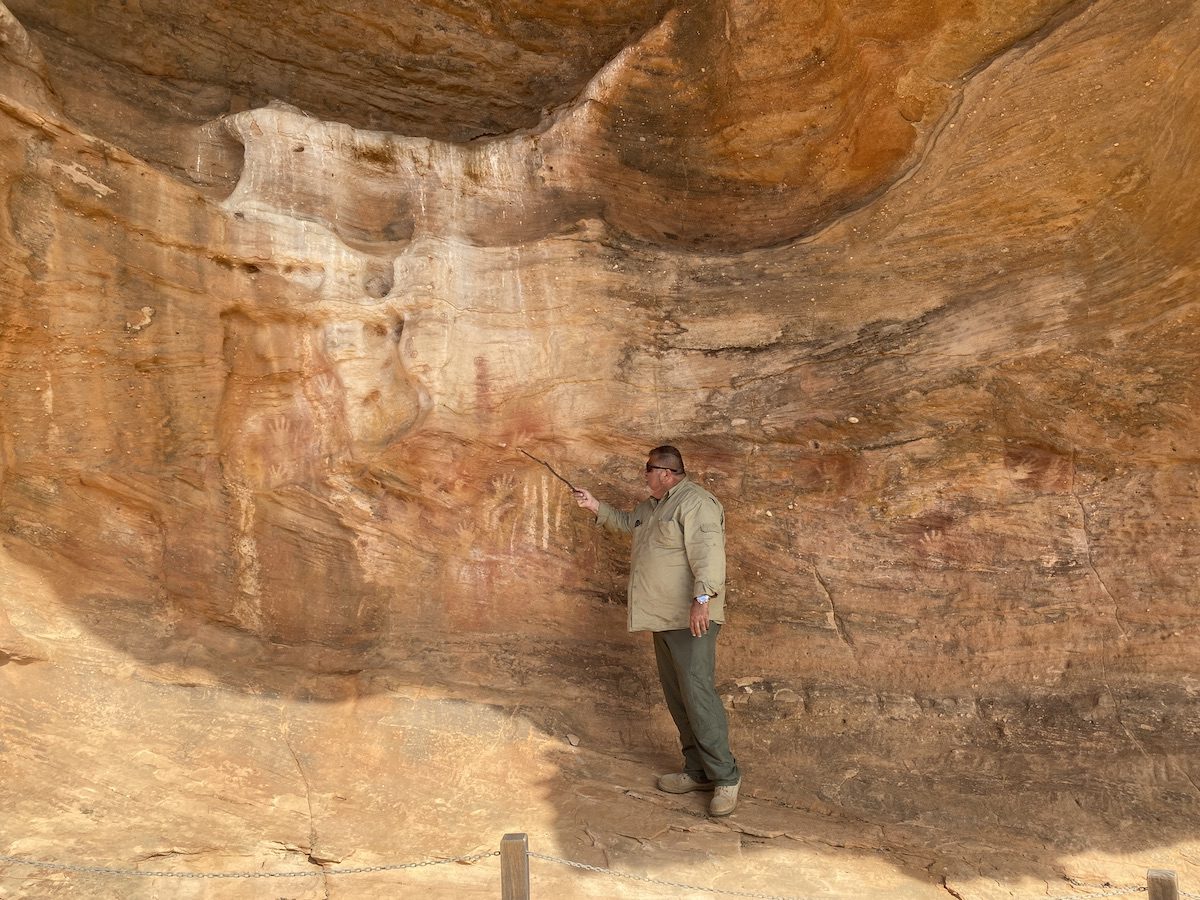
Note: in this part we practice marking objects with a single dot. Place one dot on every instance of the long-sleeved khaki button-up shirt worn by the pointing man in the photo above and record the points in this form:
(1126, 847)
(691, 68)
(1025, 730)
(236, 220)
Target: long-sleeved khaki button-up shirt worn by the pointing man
(679, 555)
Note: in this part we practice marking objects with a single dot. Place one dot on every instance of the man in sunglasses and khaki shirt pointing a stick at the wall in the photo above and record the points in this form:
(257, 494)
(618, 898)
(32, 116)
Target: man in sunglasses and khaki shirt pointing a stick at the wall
(677, 591)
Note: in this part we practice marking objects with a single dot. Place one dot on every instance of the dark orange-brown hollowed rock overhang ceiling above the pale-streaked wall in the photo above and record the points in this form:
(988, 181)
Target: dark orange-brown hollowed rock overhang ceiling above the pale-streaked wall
(767, 119)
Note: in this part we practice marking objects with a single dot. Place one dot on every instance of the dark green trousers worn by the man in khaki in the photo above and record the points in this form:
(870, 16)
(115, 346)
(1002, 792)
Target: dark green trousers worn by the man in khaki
(688, 673)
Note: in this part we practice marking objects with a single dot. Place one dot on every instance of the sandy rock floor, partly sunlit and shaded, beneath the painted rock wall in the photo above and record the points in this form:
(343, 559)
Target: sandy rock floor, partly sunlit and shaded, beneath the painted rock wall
(202, 778)
